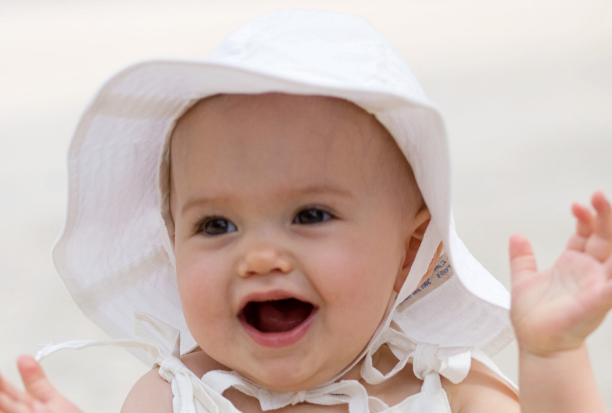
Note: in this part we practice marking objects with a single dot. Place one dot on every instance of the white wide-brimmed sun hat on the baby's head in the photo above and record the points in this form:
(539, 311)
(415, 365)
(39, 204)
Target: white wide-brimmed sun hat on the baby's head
(114, 253)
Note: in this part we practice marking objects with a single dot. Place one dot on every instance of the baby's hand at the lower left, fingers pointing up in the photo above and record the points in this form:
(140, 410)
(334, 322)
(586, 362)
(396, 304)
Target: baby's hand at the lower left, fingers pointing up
(39, 397)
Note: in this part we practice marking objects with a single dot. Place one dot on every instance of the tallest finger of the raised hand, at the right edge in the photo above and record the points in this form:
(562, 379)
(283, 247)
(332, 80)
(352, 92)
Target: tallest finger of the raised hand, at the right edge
(599, 245)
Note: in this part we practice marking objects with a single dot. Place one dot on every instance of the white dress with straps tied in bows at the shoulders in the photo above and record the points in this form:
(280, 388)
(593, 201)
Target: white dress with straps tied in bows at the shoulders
(193, 394)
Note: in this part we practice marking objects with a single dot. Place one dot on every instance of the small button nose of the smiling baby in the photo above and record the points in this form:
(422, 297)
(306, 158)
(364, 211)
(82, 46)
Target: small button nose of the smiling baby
(264, 259)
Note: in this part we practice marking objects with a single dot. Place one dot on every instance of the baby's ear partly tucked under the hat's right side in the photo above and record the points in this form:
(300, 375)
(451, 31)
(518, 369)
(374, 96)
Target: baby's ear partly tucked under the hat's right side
(413, 243)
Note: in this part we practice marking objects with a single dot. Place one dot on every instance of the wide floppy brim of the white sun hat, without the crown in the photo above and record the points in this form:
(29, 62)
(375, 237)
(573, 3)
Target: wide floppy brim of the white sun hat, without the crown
(111, 252)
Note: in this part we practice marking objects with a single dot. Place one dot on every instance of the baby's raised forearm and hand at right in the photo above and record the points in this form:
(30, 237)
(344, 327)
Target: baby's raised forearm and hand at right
(554, 310)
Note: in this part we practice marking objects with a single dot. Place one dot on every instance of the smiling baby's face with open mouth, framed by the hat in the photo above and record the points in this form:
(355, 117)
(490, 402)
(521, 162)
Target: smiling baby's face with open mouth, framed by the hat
(293, 221)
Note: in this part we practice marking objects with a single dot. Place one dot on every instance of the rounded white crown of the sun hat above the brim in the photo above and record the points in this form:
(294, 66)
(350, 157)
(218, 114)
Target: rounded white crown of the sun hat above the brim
(320, 47)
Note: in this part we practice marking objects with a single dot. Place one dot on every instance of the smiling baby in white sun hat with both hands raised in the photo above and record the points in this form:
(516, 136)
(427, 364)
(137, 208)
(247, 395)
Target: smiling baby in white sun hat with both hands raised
(304, 243)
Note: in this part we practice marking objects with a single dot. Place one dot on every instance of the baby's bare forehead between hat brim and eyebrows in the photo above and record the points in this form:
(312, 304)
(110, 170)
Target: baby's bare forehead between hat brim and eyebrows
(240, 140)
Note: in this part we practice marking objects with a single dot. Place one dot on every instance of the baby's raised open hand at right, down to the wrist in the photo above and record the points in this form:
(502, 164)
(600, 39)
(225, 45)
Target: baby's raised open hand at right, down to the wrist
(556, 309)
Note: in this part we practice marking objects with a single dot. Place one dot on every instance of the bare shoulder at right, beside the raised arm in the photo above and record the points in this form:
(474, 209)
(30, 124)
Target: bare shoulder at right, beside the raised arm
(481, 391)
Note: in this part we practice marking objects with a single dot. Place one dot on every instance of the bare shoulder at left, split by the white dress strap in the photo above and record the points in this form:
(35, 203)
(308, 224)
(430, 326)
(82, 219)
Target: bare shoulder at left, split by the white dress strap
(152, 394)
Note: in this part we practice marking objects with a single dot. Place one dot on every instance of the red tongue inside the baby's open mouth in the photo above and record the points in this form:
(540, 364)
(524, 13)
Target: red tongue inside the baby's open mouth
(282, 315)
